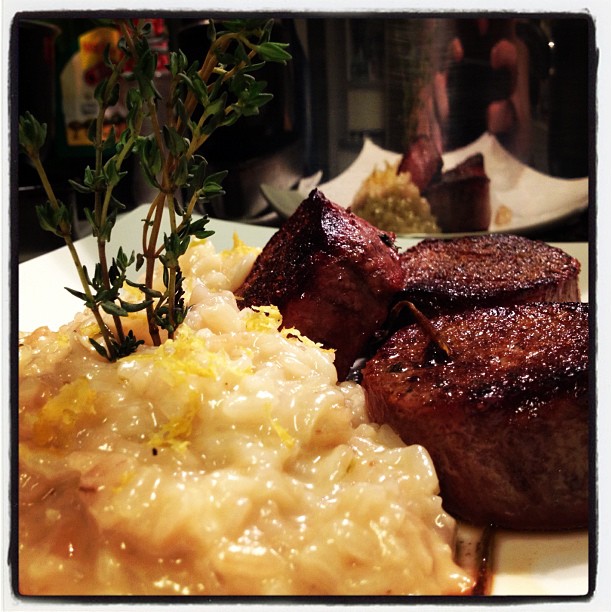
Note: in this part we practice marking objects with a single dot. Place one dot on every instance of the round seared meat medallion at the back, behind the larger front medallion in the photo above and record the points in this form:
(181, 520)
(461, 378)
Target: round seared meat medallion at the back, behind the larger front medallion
(495, 269)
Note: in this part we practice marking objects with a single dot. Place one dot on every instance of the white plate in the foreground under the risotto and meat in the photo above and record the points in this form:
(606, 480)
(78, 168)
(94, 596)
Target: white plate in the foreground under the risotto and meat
(524, 564)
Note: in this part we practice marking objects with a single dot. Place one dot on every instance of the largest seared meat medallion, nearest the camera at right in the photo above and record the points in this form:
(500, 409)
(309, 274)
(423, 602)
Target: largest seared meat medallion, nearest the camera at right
(504, 416)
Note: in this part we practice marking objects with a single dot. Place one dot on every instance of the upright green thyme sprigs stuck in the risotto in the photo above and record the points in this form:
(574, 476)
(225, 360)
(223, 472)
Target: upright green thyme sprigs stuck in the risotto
(202, 98)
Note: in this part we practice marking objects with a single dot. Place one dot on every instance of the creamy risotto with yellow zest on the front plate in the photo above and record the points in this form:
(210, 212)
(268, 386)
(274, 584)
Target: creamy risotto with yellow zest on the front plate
(226, 461)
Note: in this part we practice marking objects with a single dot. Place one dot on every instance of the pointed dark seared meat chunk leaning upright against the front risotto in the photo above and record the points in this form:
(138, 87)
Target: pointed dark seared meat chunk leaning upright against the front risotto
(331, 274)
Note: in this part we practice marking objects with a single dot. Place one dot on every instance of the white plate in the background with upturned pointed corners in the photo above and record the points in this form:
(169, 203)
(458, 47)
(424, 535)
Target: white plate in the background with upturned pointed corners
(533, 200)
